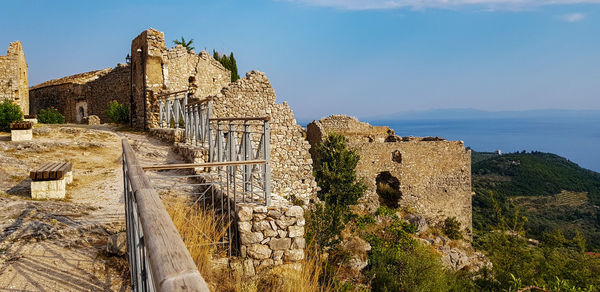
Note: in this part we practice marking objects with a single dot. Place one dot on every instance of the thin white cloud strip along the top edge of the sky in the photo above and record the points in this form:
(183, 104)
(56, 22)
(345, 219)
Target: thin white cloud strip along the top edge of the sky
(422, 4)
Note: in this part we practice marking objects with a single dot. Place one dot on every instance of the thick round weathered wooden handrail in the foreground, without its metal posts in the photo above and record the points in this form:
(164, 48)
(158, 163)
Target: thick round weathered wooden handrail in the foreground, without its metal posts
(173, 268)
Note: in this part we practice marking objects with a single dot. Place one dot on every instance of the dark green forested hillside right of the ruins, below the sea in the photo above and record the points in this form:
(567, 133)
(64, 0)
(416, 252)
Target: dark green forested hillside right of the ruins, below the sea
(551, 191)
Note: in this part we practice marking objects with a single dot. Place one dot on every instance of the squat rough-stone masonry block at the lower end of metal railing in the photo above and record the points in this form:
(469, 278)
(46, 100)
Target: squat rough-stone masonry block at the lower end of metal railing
(270, 236)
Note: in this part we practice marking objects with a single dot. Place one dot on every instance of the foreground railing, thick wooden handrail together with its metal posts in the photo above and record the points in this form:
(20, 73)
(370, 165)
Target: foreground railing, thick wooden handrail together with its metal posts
(158, 258)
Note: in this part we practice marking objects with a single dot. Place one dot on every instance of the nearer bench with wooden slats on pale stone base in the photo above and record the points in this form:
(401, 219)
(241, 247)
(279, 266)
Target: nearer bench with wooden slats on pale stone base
(49, 180)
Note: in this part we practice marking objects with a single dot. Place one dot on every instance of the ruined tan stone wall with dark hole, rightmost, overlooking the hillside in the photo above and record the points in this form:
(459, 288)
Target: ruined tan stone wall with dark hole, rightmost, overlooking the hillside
(432, 175)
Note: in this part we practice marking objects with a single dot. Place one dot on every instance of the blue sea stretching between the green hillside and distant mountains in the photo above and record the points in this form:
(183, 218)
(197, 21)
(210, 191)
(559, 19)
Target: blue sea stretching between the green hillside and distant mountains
(576, 138)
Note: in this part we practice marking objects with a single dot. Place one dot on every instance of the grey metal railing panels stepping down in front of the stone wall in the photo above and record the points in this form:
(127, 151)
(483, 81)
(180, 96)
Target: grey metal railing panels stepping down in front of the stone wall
(226, 139)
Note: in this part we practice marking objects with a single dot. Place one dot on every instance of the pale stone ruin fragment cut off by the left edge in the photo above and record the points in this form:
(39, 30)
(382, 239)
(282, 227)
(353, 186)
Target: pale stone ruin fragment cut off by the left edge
(14, 84)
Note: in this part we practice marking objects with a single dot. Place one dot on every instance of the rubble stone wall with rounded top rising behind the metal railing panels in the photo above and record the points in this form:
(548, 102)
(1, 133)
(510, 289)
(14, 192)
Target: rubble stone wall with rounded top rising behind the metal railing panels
(291, 164)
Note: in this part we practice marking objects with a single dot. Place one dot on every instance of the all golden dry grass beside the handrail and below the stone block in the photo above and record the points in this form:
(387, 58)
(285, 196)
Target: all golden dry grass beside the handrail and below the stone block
(199, 231)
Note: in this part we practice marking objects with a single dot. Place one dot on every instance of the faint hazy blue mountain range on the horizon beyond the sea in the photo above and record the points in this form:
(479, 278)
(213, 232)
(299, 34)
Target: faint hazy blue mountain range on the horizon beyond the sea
(475, 114)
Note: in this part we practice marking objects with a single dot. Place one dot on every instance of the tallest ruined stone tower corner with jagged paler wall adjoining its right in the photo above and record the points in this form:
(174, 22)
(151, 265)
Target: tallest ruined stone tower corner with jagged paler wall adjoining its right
(158, 70)
